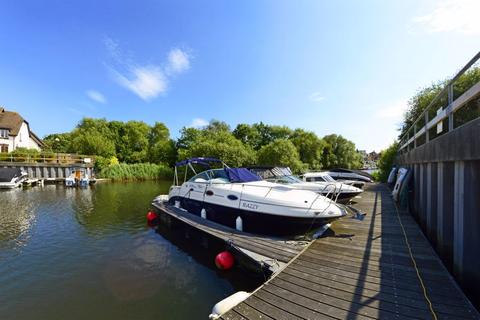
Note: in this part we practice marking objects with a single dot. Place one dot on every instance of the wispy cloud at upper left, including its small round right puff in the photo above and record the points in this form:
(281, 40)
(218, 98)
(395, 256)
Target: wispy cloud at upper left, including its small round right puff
(146, 81)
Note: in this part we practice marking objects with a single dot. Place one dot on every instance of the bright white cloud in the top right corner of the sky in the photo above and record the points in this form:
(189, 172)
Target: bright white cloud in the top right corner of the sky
(452, 16)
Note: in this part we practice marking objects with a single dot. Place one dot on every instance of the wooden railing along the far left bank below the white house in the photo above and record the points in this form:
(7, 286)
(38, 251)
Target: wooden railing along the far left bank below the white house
(47, 157)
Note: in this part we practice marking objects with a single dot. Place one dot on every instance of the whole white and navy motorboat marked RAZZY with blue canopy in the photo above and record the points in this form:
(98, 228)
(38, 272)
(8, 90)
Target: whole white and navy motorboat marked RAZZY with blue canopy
(237, 198)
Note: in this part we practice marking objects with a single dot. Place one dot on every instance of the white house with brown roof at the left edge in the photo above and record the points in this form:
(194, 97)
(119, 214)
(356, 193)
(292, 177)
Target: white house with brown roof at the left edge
(15, 133)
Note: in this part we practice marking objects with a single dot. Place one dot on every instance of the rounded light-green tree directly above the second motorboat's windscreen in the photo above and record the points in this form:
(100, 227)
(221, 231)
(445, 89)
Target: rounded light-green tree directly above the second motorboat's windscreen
(280, 152)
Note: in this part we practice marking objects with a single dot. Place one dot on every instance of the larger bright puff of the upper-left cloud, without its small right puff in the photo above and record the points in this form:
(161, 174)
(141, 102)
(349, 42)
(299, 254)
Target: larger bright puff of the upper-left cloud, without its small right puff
(146, 82)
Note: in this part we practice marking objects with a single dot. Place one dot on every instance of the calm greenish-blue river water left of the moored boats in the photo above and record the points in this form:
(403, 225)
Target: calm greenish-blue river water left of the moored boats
(88, 254)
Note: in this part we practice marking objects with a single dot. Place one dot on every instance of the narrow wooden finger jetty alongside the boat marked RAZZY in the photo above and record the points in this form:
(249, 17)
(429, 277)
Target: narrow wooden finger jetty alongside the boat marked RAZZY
(273, 252)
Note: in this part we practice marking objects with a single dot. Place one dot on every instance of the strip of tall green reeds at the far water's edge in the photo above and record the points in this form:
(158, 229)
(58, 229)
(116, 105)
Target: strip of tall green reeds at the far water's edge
(137, 171)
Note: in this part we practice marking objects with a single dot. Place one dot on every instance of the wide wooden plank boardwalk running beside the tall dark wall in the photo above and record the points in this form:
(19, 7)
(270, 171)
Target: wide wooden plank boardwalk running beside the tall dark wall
(362, 269)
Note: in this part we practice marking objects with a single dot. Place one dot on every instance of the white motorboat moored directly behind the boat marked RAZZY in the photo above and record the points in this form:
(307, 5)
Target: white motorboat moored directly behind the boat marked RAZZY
(335, 190)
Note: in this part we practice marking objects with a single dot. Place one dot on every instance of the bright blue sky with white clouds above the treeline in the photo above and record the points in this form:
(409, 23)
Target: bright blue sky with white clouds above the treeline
(345, 67)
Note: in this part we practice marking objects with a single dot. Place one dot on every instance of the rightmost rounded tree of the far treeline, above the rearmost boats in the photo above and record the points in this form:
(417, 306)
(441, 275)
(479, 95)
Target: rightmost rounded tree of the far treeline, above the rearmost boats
(340, 152)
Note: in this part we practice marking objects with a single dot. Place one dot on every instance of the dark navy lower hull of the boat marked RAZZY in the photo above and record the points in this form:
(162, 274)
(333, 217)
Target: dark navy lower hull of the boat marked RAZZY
(253, 221)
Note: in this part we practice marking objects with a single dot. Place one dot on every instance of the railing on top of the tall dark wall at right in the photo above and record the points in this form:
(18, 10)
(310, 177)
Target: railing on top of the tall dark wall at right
(419, 132)
